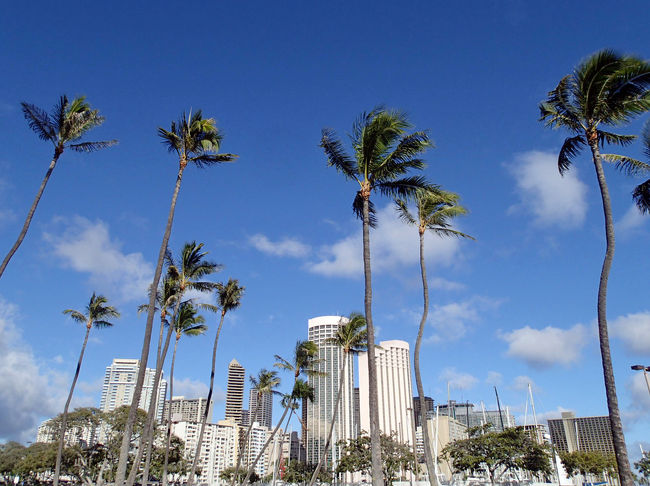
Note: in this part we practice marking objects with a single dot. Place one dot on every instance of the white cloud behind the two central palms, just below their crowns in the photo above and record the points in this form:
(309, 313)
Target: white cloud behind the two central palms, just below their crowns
(393, 244)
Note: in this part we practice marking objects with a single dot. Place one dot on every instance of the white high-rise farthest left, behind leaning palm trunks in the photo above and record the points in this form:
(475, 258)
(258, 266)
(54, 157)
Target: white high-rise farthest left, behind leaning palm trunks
(119, 385)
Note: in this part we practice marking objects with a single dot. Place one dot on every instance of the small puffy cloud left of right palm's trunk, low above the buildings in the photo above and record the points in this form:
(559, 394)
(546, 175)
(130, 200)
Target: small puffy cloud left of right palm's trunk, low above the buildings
(542, 348)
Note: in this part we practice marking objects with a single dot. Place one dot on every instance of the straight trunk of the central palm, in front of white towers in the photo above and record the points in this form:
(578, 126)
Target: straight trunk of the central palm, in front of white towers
(375, 444)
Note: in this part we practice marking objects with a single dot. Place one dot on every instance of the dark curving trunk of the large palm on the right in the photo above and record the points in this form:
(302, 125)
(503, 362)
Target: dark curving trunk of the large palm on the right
(618, 438)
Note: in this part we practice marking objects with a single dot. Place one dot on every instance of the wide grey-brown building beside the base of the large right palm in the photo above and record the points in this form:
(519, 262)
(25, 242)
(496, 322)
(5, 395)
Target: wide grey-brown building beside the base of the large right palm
(586, 434)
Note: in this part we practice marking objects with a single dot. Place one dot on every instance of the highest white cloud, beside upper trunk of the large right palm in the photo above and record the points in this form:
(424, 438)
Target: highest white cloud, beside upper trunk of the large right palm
(554, 200)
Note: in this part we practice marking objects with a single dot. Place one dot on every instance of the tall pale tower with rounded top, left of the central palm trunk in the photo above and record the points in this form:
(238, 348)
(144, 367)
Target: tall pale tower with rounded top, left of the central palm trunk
(321, 410)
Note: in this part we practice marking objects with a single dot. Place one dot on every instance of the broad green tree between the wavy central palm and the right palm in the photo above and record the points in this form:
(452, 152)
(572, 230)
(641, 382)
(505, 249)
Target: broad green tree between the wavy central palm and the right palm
(497, 452)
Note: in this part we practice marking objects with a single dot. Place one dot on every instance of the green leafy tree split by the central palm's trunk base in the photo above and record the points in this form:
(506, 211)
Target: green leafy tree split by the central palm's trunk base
(356, 456)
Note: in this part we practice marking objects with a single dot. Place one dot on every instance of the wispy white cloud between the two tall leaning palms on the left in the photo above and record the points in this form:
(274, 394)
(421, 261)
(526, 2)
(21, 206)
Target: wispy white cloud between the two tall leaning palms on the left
(87, 247)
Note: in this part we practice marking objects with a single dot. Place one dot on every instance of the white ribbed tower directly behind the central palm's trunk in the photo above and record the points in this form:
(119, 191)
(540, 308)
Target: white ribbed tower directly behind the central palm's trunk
(394, 390)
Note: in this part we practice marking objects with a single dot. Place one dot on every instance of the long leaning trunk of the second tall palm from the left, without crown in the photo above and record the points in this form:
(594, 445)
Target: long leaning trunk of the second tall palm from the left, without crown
(128, 429)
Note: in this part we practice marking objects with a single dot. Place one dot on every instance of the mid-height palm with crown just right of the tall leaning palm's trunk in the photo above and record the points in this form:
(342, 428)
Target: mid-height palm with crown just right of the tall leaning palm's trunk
(186, 274)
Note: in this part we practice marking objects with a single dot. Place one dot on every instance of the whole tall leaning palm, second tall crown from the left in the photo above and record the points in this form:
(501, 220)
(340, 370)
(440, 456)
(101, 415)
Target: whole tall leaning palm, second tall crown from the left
(195, 140)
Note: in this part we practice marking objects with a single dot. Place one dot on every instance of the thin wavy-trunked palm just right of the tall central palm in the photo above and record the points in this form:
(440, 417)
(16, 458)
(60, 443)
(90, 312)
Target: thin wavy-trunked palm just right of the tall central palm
(435, 208)
